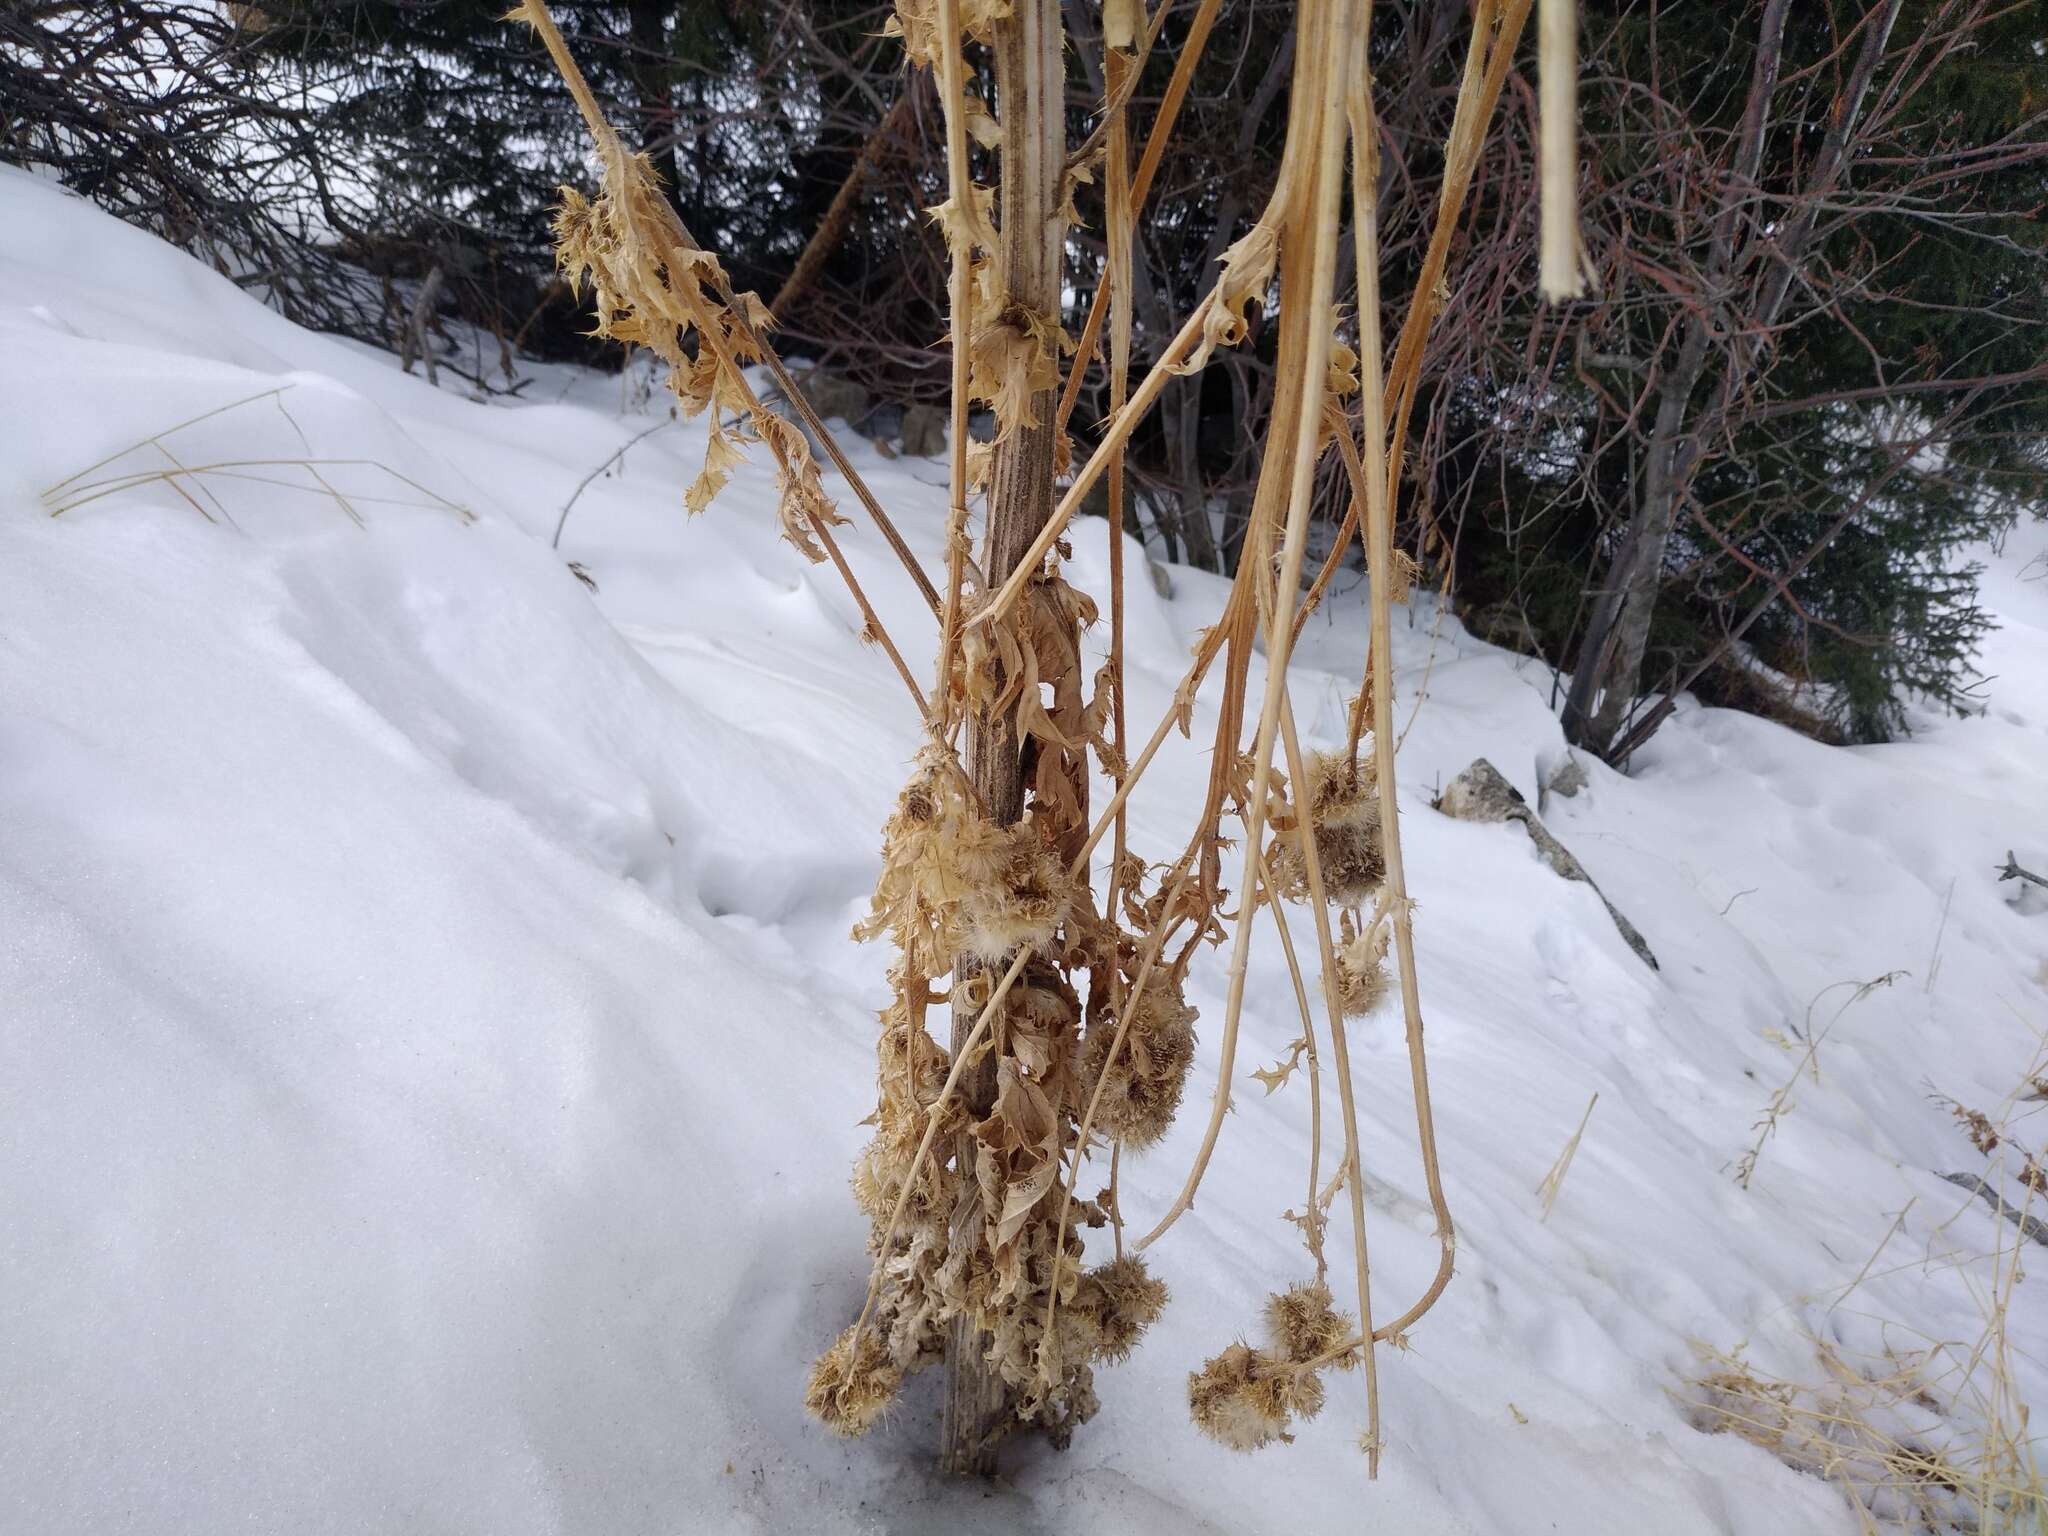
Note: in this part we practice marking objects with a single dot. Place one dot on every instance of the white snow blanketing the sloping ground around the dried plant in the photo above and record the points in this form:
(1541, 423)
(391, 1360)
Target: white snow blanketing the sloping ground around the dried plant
(433, 1052)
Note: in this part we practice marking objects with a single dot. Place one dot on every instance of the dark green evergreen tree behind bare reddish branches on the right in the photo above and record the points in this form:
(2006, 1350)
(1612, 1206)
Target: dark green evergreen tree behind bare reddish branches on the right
(1881, 419)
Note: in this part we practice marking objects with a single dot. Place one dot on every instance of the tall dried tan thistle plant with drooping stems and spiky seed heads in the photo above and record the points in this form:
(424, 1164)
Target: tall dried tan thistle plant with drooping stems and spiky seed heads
(1068, 980)
